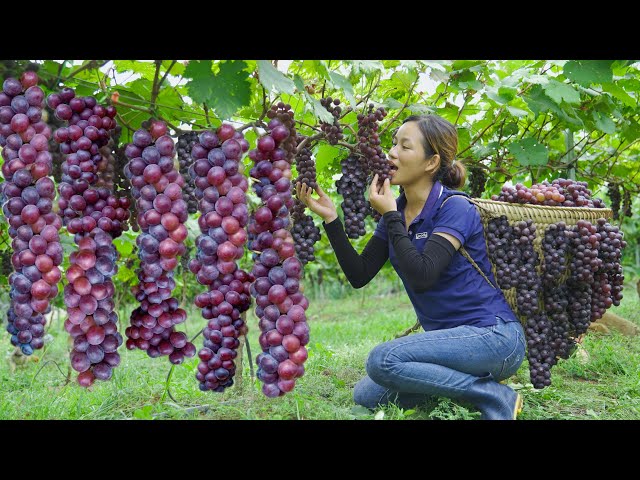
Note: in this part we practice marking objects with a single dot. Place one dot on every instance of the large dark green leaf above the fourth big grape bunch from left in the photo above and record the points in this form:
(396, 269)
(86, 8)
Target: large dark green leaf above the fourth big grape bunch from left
(225, 92)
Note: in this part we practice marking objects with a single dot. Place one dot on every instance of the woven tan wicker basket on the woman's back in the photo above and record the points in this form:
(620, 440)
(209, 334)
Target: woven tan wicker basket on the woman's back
(542, 216)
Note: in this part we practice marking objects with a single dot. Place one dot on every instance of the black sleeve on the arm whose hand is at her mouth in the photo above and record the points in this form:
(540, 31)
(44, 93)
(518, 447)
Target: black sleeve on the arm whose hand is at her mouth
(421, 270)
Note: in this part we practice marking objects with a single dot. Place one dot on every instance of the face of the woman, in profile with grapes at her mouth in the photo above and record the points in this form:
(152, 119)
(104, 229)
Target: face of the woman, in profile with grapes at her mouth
(408, 156)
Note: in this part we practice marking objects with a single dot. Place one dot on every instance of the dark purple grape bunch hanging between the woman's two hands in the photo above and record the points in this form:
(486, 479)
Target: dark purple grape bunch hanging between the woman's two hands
(352, 185)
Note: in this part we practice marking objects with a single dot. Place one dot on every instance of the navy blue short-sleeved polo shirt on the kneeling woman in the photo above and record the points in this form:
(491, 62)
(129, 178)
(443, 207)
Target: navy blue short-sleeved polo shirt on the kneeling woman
(461, 296)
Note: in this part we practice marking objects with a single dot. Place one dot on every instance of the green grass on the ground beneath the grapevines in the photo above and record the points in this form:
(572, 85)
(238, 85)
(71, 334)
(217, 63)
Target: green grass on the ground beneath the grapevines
(343, 331)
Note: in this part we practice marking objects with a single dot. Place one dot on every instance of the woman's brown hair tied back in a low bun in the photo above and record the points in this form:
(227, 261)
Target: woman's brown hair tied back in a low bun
(441, 137)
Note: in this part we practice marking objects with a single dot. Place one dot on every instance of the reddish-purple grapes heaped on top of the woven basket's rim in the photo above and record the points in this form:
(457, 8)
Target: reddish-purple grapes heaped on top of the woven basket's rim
(560, 192)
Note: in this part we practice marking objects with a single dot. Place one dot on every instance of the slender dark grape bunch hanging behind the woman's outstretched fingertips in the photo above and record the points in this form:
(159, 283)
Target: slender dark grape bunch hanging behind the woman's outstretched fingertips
(305, 233)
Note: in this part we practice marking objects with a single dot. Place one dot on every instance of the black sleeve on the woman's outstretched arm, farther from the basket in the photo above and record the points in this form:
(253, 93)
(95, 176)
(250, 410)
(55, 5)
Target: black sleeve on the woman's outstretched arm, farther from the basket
(359, 269)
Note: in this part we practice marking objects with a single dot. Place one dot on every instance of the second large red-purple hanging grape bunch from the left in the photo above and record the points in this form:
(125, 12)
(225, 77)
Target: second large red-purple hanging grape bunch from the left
(95, 216)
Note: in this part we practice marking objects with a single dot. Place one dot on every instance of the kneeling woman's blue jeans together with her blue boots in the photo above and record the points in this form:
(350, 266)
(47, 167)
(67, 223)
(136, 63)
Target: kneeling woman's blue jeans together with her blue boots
(463, 363)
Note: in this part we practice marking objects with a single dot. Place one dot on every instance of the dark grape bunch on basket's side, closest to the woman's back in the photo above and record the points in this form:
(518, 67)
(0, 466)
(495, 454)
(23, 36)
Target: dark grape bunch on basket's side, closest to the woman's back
(503, 252)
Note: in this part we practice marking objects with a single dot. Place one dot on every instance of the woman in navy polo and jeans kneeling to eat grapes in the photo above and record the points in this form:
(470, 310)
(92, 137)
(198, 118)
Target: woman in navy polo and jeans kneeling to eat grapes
(472, 338)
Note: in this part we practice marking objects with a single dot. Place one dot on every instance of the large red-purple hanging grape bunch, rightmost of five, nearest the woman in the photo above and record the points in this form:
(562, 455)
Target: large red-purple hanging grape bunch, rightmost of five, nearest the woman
(280, 303)
